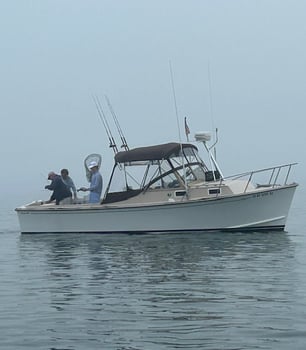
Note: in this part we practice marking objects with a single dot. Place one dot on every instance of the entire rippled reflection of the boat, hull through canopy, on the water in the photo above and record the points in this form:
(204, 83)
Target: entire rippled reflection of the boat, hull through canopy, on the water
(174, 276)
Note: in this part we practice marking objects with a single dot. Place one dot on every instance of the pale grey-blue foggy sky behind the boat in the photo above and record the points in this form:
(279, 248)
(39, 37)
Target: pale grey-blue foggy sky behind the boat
(56, 53)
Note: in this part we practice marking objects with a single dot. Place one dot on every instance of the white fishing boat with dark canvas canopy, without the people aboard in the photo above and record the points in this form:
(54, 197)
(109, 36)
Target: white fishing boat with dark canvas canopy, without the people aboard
(169, 188)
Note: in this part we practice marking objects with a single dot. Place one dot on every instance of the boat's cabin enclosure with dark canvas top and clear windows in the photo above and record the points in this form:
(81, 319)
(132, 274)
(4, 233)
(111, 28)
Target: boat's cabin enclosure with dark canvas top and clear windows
(166, 166)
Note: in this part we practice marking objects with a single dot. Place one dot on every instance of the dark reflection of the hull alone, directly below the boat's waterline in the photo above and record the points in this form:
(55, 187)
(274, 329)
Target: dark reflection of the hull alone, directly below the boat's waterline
(170, 251)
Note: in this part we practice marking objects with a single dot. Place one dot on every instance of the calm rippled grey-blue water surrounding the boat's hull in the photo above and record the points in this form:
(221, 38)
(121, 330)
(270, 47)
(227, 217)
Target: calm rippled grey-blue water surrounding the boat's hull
(128, 292)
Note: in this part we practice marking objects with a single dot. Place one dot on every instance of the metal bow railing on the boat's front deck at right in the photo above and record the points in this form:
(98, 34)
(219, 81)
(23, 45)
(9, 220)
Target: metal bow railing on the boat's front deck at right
(268, 177)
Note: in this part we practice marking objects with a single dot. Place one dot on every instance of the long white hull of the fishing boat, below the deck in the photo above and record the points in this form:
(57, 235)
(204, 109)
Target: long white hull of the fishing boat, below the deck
(261, 210)
